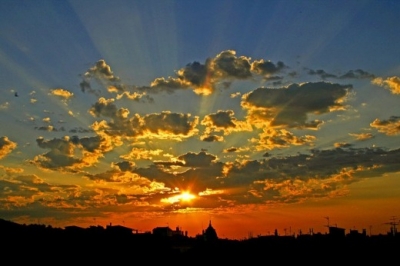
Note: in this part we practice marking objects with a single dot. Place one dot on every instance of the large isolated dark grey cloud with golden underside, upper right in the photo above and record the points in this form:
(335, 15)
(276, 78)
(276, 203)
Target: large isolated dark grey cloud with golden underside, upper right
(290, 106)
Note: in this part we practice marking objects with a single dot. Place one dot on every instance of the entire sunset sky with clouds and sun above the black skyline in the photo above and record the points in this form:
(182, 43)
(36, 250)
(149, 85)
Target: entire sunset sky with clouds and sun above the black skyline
(256, 115)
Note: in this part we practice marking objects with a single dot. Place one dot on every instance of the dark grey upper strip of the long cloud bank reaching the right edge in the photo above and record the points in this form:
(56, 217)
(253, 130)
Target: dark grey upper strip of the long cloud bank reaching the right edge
(318, 164)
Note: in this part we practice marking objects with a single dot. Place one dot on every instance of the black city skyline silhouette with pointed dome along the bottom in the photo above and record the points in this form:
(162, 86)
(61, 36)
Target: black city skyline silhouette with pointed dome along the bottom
(123, 242)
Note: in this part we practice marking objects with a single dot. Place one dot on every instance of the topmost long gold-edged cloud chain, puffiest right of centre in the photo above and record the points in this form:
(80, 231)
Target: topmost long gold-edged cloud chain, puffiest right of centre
(202, 78)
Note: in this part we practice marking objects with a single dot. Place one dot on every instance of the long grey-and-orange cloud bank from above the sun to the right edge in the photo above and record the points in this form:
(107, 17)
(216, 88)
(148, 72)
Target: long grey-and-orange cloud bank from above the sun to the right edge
(321, 173)
